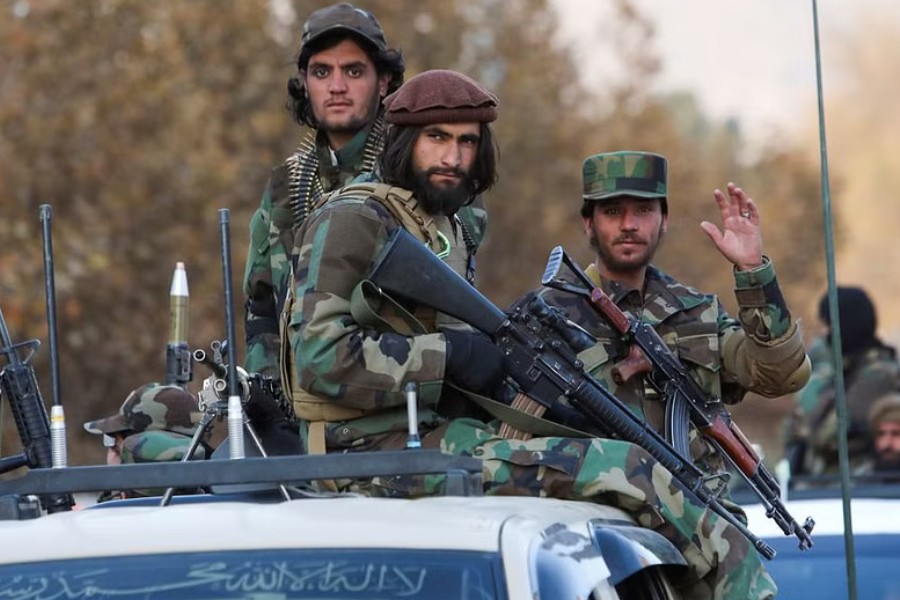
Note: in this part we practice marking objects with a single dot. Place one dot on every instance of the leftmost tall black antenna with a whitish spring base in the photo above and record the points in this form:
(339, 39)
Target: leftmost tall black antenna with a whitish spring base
(58, 449)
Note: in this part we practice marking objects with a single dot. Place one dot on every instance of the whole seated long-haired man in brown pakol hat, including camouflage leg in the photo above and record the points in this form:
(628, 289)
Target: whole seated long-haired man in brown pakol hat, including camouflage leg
(348, 357)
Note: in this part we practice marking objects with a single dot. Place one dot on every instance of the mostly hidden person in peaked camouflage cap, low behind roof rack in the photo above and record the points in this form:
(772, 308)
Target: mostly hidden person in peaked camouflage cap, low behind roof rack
(154, 424)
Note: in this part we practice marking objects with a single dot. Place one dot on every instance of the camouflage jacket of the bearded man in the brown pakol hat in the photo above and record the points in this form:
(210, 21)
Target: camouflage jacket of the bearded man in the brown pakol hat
(360, 369)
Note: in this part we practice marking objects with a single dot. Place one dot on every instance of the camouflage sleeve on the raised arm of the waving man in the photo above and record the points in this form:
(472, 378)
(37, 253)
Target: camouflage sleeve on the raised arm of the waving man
(765, 352)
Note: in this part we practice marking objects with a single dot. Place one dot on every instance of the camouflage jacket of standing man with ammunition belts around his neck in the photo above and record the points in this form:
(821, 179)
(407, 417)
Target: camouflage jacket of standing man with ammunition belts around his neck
(293, 188)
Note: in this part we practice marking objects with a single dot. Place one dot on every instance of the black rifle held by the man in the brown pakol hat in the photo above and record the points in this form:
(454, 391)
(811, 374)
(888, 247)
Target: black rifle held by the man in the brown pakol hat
(539, 360)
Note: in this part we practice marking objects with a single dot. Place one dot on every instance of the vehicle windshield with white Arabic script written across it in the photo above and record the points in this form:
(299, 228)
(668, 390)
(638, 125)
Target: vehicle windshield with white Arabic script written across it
(269, 574)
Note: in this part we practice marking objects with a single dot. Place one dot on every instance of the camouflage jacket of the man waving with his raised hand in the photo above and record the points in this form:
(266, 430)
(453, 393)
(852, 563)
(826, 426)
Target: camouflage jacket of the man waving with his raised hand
(762, 352)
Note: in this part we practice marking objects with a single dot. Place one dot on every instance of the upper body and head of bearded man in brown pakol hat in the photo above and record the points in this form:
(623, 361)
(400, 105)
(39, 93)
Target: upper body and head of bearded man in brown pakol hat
(439, 154)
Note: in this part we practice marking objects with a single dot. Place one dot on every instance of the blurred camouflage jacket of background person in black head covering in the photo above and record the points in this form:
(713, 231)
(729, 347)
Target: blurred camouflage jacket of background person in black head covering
(867, 376)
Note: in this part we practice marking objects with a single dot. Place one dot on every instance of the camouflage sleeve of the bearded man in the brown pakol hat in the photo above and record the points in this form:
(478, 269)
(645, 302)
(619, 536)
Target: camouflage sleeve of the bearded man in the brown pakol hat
(334, 357)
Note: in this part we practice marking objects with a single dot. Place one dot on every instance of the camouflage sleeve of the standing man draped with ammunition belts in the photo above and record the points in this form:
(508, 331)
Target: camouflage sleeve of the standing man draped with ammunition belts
(261, 318)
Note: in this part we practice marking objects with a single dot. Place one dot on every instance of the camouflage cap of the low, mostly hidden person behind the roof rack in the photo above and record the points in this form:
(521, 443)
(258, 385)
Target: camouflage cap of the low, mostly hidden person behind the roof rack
(152, 407)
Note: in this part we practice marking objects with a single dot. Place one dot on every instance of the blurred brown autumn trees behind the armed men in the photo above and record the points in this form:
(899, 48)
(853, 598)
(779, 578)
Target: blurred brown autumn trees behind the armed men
(138, 120)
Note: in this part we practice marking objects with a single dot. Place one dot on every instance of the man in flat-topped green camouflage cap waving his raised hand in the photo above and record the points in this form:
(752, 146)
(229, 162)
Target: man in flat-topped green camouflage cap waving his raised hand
(625, 217)
